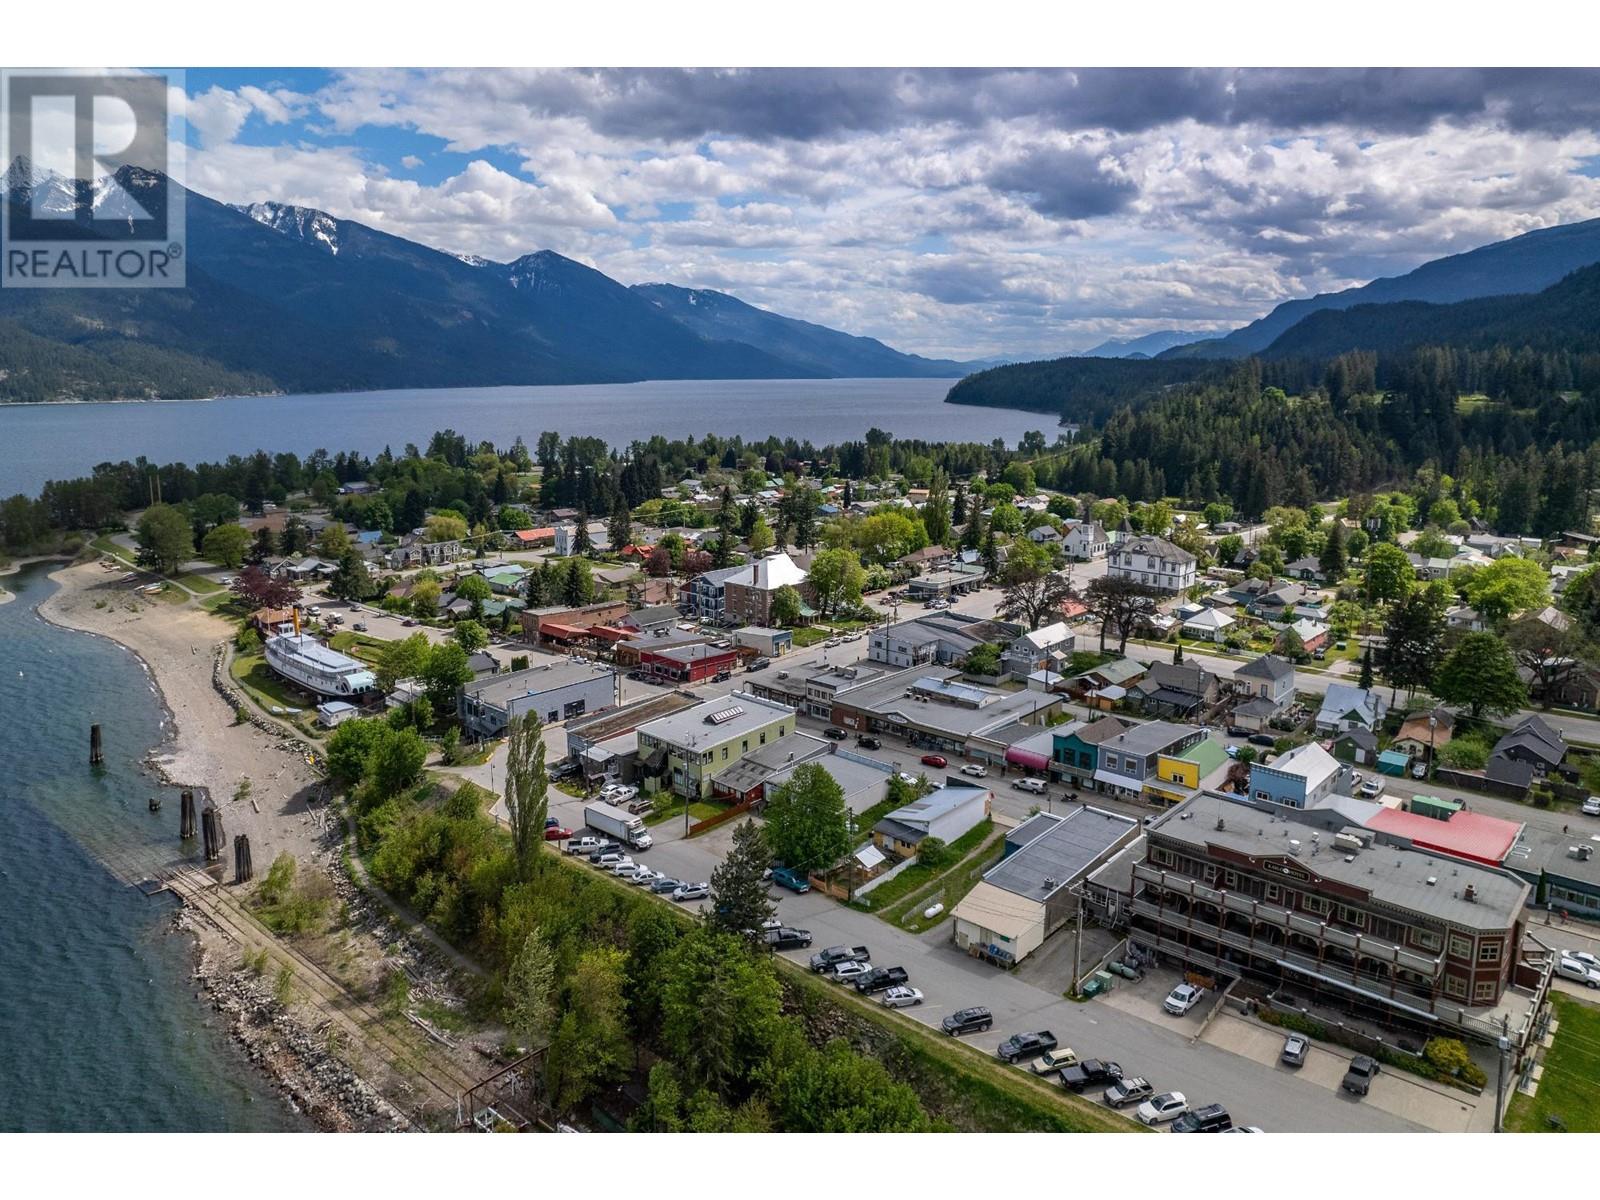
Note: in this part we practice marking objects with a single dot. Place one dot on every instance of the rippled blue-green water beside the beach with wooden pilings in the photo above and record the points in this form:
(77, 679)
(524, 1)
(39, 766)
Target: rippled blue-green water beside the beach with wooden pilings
(100, 1023)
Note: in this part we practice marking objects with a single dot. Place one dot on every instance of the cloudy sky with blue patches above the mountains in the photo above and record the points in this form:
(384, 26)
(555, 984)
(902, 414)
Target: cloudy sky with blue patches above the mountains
(946, 212)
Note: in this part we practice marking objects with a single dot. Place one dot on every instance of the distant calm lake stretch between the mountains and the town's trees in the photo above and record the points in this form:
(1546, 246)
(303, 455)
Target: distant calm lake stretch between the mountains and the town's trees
(46, 442)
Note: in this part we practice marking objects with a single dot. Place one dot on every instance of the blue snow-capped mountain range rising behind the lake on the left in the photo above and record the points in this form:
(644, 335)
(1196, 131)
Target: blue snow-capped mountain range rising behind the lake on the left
(286, 298)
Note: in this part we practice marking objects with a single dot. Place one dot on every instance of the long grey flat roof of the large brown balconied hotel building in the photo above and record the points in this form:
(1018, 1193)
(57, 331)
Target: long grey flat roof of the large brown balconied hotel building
(1388, 874)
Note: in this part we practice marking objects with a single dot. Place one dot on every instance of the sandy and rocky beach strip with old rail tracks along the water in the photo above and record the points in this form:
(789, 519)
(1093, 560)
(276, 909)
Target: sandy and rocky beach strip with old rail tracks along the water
(332, 1054)
